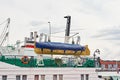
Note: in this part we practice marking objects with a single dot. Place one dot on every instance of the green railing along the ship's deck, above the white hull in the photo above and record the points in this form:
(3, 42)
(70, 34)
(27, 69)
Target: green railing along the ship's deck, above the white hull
(16, 60)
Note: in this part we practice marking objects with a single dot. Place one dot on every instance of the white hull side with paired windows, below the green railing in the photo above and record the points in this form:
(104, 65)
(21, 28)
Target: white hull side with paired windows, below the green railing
(68, 73)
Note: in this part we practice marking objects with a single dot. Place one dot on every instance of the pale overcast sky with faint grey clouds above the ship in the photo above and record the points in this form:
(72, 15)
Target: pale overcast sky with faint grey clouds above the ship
(96, 21)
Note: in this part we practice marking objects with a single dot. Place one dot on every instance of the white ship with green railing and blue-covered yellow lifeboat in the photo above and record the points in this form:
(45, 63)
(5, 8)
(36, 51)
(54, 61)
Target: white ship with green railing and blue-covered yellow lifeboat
(36, 59)
